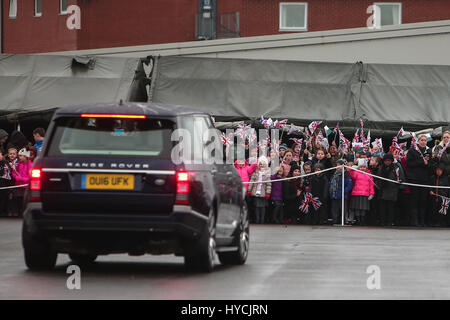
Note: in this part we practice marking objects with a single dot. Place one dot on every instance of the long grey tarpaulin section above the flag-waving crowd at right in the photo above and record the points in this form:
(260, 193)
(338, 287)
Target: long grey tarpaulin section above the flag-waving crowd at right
(385, 96)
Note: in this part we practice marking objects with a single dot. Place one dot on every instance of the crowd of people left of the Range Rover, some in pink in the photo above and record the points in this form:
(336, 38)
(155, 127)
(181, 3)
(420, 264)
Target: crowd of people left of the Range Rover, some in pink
(16, 158)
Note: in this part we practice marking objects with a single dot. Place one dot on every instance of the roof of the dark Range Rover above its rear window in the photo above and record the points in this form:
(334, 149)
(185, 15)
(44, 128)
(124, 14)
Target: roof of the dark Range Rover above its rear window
(134, 108)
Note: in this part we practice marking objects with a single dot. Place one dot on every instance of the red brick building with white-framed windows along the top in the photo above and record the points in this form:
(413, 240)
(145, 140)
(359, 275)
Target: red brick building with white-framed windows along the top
(33, 26)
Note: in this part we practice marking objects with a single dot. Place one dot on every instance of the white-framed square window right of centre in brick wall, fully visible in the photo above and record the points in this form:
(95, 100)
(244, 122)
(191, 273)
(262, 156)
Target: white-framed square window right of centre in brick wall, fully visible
(293, 16)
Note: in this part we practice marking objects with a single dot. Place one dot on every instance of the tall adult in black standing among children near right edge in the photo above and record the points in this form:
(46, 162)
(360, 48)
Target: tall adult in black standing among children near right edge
(418, 163)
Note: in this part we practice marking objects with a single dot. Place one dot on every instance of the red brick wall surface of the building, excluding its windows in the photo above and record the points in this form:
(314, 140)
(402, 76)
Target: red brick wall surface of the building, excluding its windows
(114, 23)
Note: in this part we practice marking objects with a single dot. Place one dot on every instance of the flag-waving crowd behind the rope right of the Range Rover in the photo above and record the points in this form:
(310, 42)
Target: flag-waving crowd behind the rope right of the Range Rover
(371, 196)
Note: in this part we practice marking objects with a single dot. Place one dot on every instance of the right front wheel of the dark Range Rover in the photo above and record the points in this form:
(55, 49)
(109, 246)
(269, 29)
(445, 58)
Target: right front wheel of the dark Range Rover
(242, 241)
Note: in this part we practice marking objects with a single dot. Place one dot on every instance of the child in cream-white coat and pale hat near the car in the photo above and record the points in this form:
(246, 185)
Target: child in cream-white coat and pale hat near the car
(261, 190)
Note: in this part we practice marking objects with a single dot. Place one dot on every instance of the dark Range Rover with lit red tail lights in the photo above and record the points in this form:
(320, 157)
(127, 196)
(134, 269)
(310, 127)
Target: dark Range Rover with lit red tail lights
(105, 182)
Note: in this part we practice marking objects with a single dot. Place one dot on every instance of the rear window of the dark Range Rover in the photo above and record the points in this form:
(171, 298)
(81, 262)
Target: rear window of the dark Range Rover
(108, 136)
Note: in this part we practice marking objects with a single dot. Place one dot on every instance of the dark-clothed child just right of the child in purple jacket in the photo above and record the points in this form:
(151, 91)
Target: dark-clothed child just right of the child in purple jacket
(292, 190)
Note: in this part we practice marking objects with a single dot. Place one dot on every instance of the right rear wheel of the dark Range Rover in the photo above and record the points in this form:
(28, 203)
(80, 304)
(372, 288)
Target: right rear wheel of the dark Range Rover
(203, 254)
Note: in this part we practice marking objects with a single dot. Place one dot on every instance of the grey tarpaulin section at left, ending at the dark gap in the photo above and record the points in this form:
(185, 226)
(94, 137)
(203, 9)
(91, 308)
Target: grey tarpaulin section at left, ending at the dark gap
(31, 84)
